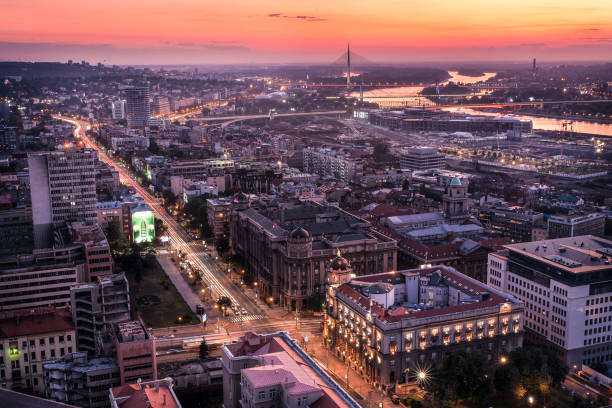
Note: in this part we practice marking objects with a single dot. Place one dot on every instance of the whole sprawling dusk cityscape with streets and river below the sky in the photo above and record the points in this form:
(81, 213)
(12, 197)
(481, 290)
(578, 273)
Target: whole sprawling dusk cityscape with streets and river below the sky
(351, 233)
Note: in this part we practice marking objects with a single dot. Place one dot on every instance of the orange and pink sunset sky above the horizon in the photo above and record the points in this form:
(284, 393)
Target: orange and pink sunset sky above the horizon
(245, 31)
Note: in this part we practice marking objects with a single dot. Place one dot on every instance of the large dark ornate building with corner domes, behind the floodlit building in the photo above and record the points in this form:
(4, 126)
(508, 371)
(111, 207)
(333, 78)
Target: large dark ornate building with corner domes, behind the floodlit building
(288, 246)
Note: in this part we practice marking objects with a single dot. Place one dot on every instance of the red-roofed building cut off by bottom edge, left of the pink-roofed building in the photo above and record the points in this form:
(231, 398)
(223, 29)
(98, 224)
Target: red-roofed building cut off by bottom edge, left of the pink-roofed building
(145, 394)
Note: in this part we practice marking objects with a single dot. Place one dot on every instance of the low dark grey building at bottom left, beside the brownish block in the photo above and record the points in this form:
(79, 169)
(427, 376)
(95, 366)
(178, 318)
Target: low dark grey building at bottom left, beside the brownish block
(77, 380)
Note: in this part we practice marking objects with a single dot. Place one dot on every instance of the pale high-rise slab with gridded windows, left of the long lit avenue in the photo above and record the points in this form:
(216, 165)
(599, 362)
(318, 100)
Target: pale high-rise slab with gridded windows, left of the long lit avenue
(63, 189)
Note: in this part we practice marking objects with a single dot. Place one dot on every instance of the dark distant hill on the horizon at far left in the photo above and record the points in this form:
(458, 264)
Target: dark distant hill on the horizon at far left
(30, 70)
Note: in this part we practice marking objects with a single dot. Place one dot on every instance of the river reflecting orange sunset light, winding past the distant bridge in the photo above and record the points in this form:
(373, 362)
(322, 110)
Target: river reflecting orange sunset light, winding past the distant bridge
(410, 93)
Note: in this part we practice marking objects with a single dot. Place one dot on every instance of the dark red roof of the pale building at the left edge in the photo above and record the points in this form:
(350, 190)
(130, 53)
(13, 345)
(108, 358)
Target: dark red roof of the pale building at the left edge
(35, 321)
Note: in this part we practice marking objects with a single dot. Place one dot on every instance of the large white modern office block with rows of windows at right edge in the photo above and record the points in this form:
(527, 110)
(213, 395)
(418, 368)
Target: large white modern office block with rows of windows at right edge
(565, 286)
